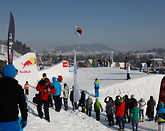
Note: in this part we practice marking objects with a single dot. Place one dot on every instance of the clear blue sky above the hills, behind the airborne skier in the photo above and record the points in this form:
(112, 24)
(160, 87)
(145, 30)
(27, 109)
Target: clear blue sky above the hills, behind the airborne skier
(120, 24)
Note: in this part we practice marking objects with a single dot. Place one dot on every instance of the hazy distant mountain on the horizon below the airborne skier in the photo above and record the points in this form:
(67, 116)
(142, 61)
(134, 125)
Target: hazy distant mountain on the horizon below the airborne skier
(94, 48)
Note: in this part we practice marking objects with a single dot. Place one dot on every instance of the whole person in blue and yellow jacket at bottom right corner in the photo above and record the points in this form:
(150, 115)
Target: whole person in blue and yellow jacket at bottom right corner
(160, 117)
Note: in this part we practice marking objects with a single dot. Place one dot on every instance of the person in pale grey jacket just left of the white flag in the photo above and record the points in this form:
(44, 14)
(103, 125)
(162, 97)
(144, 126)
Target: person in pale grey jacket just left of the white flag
(66, 94)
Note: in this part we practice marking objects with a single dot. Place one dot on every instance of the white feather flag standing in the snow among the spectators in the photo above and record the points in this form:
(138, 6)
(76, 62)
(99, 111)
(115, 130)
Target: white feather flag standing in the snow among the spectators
(76, 89)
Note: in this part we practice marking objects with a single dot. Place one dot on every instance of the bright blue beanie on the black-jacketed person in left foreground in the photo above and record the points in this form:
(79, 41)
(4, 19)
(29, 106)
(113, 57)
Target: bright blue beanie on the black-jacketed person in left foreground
(9, 71)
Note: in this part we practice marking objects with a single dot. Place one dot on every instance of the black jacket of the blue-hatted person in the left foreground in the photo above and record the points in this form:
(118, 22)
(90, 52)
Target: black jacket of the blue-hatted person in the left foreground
(11, 97)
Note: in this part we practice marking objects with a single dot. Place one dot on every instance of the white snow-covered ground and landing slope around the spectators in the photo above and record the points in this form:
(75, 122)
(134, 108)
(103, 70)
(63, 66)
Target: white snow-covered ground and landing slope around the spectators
(112, 82)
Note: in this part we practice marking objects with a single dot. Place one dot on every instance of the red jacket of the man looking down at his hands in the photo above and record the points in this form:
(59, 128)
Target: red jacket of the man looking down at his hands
(44, 95)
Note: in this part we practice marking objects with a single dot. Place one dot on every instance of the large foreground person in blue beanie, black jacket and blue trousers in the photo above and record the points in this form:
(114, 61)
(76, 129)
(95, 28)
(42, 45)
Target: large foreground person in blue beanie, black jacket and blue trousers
(12, 99)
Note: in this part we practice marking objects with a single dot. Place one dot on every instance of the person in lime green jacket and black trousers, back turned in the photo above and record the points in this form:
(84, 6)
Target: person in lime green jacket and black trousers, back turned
(97, 107)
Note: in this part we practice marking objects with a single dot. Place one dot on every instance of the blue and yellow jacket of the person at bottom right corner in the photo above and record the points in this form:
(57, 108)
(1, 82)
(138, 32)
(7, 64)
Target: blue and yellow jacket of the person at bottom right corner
(160, 116)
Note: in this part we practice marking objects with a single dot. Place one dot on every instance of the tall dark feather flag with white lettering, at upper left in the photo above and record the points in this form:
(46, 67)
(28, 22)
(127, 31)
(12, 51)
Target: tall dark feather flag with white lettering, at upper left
(11, 39)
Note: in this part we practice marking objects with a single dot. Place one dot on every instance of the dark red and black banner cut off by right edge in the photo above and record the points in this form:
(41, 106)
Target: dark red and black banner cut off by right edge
(162, 91)
